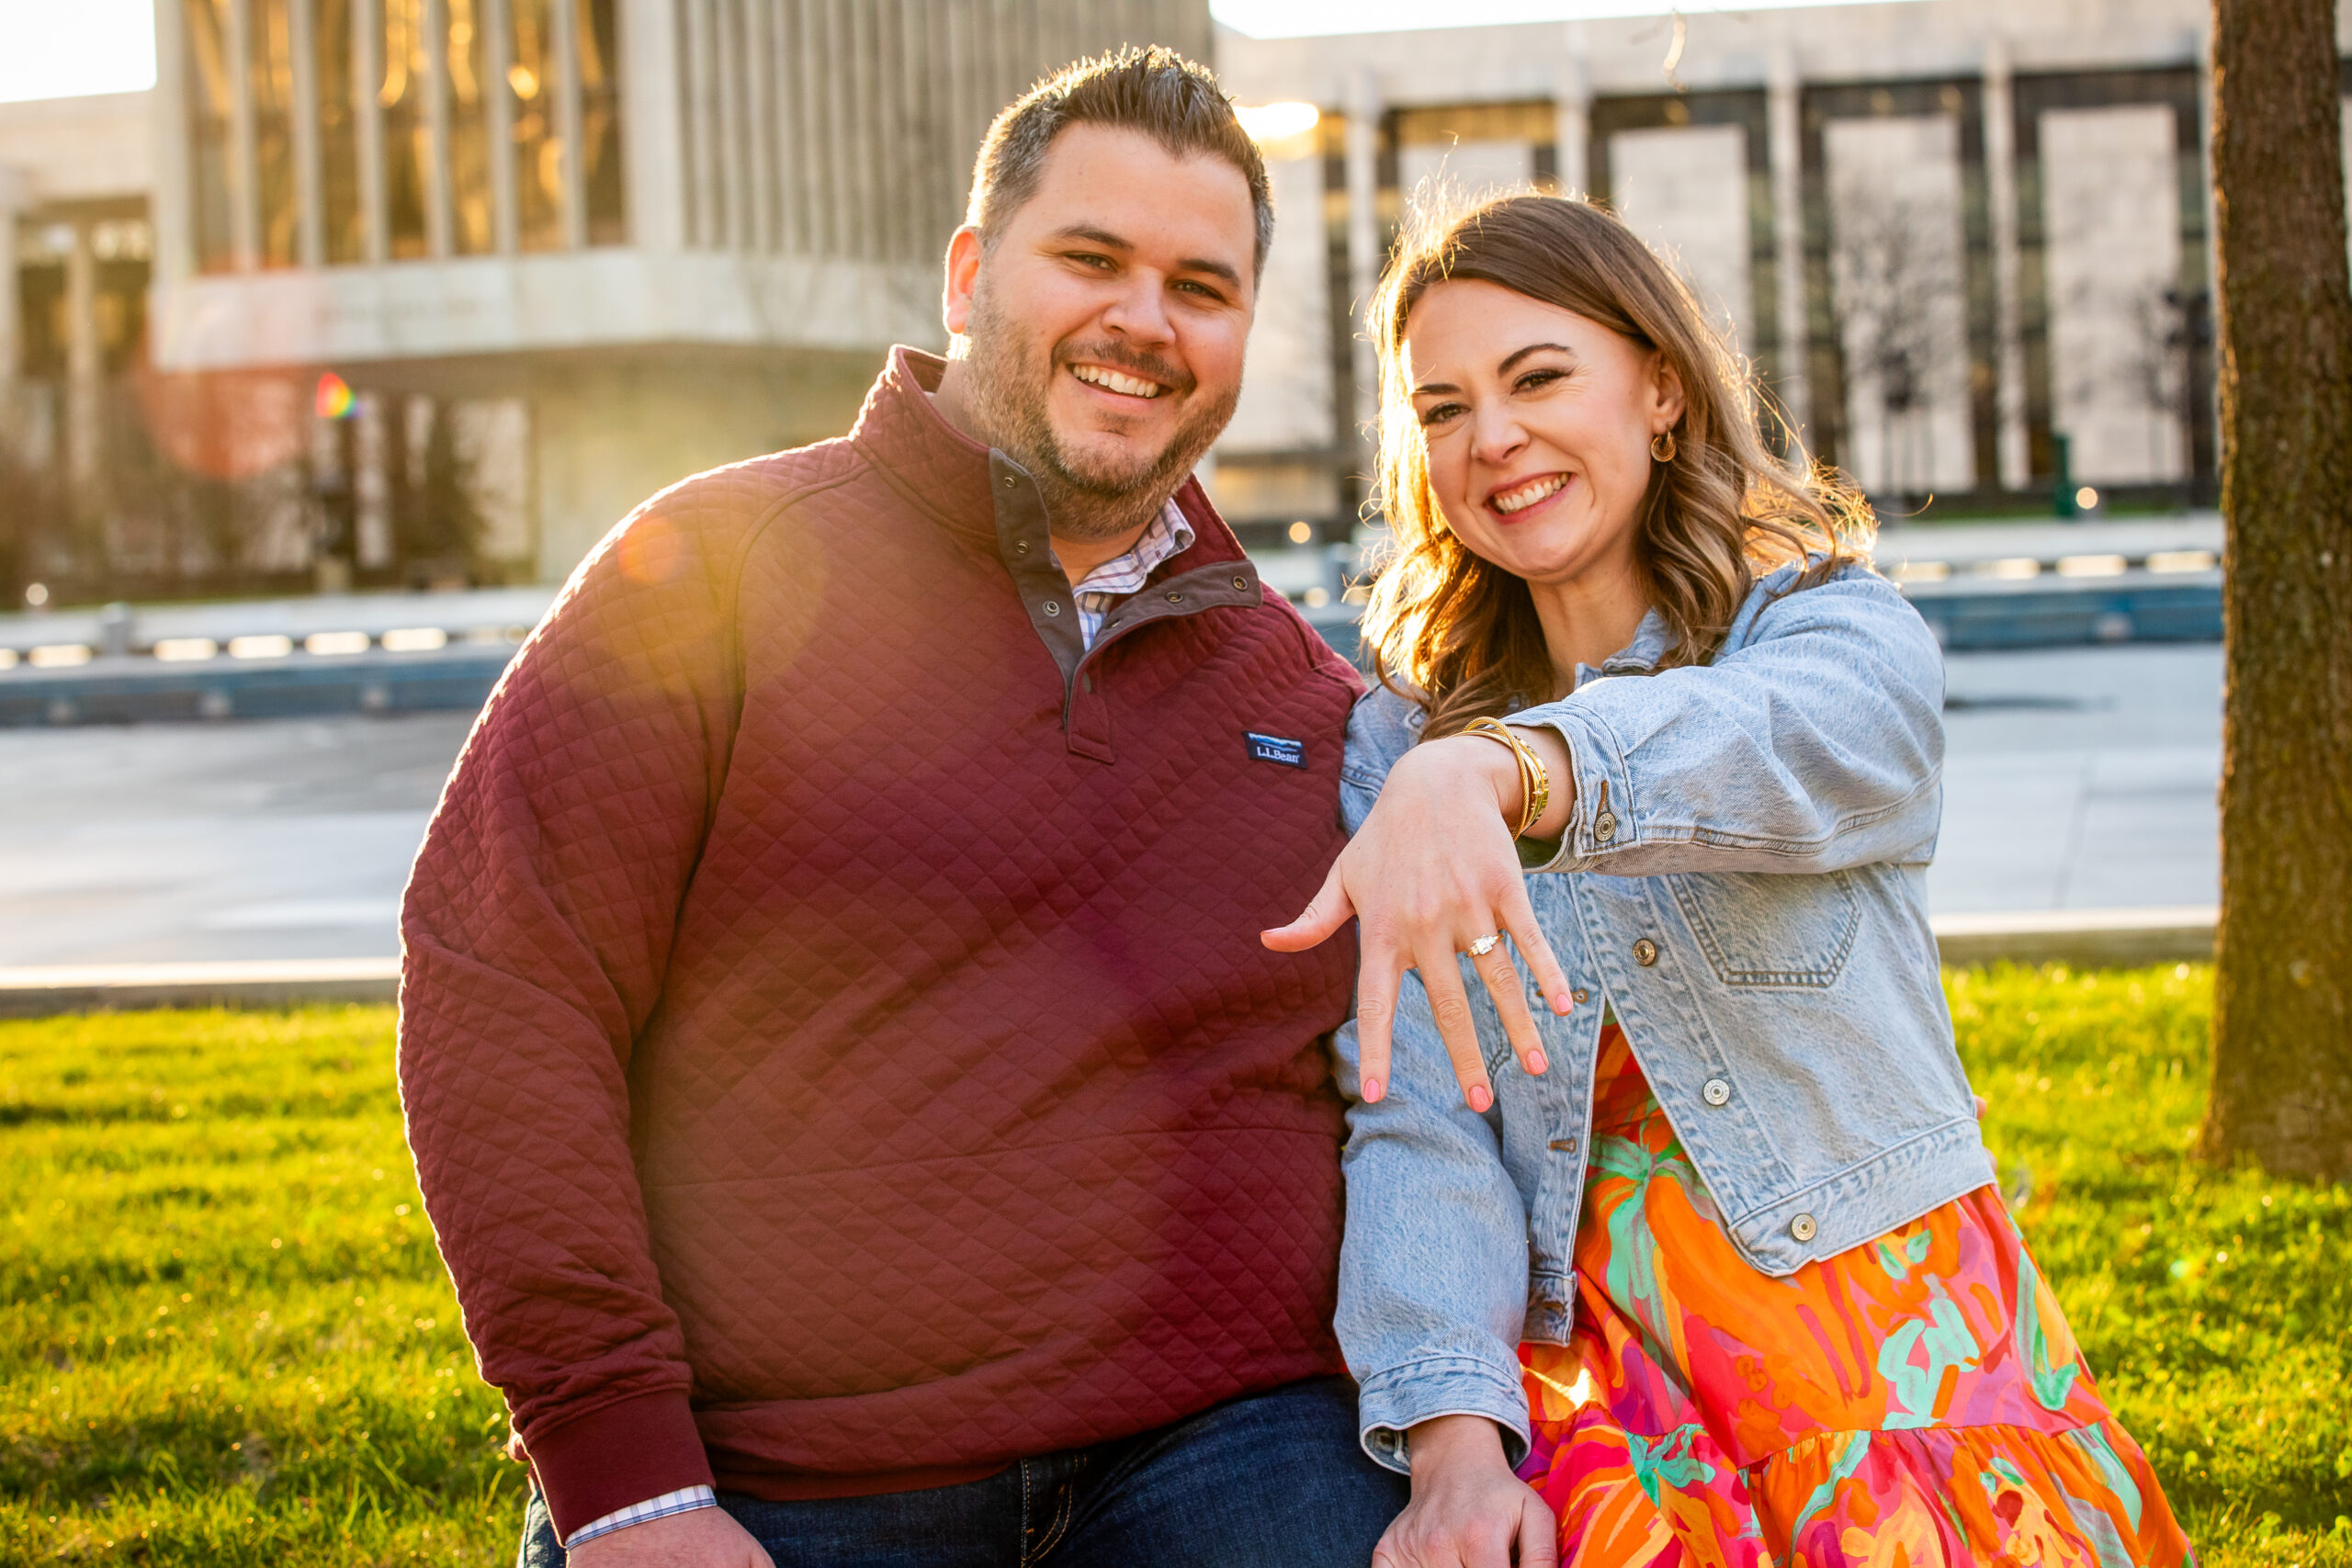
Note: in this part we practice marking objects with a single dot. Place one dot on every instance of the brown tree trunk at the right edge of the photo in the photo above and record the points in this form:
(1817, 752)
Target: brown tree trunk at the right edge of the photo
(2283, 1007)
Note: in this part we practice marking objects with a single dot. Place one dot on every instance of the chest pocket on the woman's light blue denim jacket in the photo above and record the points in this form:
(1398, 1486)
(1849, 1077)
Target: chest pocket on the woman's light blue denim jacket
(1772, 932)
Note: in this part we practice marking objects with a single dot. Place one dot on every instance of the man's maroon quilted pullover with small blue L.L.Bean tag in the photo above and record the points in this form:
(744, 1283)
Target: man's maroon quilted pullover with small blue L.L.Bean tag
(834, 1028)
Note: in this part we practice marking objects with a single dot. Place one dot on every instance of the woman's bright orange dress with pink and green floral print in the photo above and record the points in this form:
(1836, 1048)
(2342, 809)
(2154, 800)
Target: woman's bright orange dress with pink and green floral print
(1916, 1400)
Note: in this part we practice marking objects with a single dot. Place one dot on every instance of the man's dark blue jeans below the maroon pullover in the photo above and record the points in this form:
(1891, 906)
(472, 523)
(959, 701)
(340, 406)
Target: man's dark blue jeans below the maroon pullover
(1262, 1482)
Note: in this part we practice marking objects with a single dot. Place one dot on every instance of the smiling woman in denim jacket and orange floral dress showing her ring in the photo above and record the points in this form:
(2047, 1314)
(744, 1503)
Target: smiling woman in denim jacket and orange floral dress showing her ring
(1702, 1261)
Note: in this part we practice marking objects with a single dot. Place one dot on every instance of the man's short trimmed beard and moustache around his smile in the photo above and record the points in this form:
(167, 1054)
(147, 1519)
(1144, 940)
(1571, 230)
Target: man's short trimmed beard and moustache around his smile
(1085, 500)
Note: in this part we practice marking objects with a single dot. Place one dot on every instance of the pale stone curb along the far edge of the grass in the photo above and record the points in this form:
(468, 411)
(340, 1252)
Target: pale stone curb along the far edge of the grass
(2085, 939)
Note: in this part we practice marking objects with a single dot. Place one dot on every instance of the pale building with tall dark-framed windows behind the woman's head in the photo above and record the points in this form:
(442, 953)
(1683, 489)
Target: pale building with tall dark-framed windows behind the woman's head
(1965, 241)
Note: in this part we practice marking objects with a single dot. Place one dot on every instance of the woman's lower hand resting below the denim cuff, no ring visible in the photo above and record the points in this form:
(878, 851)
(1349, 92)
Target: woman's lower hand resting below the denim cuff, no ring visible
(1469, 1510)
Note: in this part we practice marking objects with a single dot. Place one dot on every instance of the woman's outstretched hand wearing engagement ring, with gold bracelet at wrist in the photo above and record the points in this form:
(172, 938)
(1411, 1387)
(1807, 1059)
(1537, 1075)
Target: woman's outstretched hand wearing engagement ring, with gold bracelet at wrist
(1431, 873)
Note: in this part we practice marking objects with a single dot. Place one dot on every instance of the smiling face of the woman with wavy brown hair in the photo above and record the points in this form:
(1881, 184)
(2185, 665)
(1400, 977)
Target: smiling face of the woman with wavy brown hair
(1537, 424)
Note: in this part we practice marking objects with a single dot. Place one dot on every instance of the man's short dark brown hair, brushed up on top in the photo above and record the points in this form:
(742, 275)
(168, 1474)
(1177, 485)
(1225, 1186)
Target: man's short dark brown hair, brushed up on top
(1154, 91)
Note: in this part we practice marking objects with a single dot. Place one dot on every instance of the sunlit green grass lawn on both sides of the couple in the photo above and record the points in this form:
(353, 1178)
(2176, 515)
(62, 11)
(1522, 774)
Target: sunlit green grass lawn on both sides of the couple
(227, 1336)
